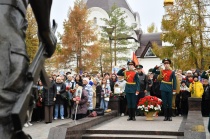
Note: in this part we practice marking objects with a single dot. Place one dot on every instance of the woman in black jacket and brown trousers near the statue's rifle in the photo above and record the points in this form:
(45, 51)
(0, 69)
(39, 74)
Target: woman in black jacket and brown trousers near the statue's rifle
(48, 99)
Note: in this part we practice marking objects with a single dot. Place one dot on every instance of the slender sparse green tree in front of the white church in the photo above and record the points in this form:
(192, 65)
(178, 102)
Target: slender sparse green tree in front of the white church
(117, 32)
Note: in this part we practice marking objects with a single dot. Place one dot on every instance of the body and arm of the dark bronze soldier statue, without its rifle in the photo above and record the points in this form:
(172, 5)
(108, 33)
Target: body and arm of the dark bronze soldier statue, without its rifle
(14, 60)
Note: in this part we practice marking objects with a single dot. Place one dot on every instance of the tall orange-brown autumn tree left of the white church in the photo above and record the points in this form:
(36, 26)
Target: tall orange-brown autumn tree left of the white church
(79, 39)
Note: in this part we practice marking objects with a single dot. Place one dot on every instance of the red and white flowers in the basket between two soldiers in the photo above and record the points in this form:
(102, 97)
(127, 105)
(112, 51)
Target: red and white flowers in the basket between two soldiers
(149, 104)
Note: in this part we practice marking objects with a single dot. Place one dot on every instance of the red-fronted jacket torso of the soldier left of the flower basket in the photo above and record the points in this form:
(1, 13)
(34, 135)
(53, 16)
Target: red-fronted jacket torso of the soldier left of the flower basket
(132, 81)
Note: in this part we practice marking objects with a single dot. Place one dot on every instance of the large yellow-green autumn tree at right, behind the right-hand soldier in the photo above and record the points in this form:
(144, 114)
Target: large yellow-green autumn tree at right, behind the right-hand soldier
(185, 30)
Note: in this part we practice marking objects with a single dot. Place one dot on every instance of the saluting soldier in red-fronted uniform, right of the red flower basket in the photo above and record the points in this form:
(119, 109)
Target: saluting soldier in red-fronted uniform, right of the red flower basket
(167, 87)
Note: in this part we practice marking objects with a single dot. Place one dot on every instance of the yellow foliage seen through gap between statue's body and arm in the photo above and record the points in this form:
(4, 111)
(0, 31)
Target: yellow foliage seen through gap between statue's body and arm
(31, 34)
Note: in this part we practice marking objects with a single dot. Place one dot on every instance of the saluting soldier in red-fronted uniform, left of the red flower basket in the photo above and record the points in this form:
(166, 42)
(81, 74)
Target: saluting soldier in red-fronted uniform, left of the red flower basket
(132, 88)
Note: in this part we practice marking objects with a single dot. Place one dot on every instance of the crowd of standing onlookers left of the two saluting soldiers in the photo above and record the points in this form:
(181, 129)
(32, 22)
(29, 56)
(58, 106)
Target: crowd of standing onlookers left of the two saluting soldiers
(70, 96)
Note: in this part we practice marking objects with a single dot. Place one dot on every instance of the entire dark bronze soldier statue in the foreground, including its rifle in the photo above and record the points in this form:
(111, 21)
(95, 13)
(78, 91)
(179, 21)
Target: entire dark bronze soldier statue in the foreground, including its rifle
(16, 76)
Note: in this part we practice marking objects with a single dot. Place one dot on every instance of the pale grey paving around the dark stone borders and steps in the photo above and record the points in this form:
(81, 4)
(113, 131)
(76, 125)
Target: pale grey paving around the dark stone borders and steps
(40, 130)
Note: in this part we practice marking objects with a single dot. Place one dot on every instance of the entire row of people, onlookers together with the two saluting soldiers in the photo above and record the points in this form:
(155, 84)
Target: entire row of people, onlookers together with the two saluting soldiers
(75, 96)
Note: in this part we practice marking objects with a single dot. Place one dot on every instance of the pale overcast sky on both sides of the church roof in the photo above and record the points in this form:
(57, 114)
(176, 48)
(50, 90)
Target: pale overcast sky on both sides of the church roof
(149, 11)
